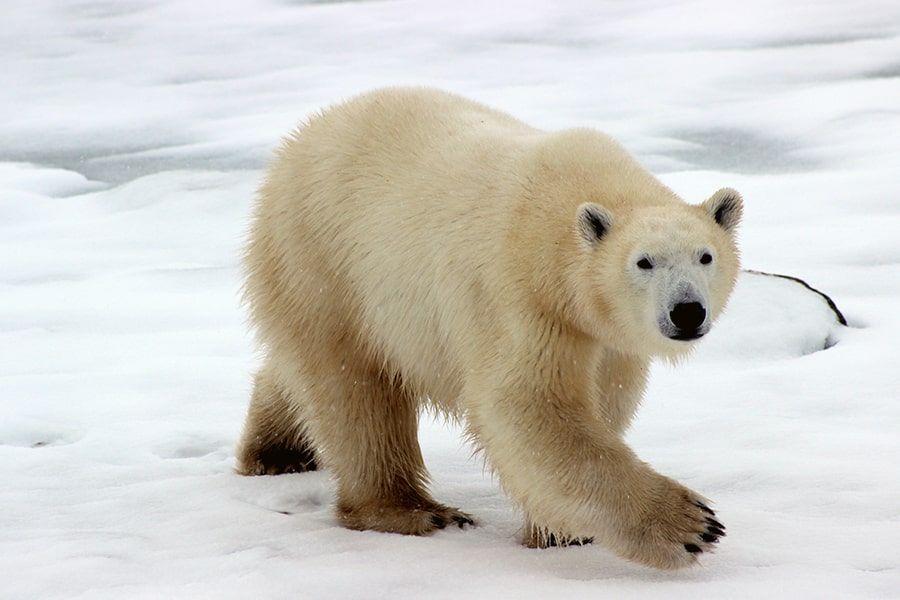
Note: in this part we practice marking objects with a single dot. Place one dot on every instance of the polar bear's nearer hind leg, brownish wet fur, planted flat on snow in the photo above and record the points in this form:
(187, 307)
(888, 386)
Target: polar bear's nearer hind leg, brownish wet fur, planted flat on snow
(365, 425)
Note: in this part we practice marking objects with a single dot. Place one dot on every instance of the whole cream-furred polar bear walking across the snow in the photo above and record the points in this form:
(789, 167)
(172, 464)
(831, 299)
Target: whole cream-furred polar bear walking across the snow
(413, 248)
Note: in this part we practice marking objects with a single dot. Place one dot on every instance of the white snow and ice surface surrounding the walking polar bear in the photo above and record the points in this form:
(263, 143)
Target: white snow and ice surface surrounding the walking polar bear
(133, 135)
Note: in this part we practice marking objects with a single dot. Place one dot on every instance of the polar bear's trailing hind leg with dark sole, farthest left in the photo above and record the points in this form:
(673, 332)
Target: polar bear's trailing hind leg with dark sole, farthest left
(274, 439)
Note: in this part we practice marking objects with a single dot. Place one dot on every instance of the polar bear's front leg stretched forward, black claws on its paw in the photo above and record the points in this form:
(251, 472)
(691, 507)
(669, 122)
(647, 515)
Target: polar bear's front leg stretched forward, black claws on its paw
(572, 474)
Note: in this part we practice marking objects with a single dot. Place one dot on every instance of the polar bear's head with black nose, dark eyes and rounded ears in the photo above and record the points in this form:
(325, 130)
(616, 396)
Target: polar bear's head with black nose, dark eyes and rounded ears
(654, 277)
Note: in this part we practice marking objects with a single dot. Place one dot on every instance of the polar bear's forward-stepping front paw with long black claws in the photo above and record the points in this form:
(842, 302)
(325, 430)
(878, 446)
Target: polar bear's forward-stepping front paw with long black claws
(674, 529)
